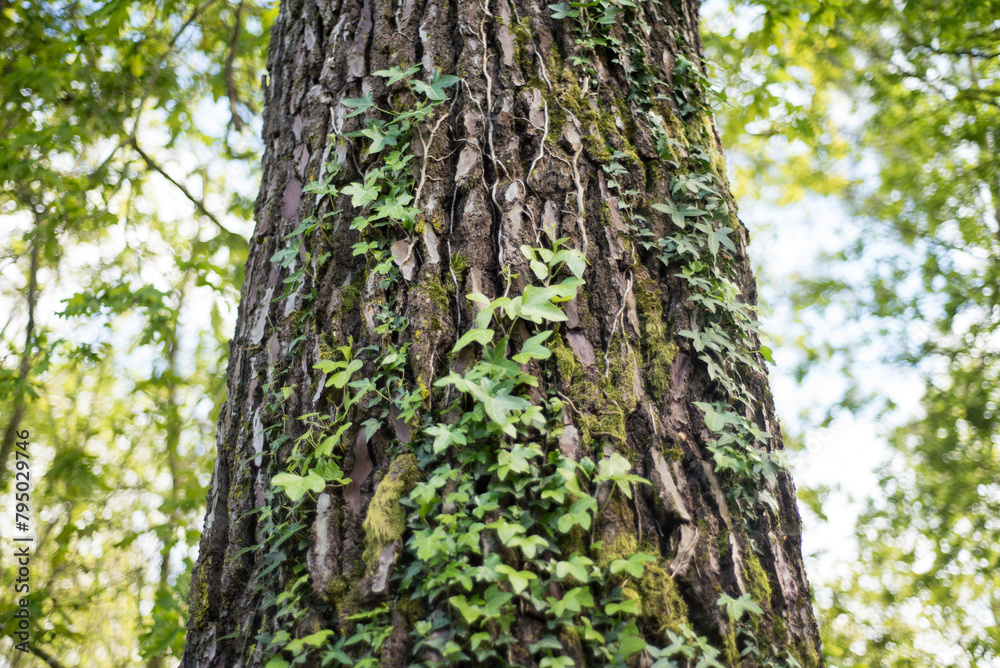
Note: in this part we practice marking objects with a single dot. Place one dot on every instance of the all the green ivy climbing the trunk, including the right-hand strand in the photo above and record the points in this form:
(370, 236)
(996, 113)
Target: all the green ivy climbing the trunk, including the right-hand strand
(431, 517)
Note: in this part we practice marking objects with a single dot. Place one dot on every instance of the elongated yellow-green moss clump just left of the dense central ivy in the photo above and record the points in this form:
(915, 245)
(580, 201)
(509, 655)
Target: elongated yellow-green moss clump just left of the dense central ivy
(386, 520)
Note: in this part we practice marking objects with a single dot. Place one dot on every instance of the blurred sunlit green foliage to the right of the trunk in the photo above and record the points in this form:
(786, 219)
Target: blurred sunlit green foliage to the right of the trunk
(892, 108)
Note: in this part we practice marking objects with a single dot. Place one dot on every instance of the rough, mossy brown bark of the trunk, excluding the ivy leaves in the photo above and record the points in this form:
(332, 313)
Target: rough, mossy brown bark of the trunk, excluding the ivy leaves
(520, 155)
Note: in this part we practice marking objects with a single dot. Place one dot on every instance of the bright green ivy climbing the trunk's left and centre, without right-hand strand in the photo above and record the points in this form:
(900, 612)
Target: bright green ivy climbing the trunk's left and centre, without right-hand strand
(489, 428)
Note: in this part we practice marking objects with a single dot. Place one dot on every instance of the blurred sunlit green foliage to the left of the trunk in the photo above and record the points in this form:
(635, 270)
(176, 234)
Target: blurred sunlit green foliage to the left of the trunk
(117, 376)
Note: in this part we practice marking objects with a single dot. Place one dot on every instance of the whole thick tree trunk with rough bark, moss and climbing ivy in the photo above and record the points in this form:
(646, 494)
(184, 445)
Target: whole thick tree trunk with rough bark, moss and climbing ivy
(584, 124)
